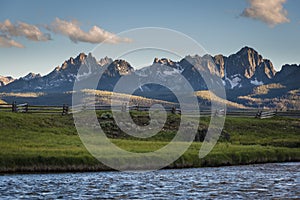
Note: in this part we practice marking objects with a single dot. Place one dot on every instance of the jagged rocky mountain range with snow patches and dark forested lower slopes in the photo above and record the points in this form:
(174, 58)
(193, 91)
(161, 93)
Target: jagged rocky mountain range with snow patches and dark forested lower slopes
(249, 79)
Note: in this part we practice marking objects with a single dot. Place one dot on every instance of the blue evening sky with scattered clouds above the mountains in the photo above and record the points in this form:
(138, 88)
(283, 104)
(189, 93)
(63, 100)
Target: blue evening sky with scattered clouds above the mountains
(36, 36)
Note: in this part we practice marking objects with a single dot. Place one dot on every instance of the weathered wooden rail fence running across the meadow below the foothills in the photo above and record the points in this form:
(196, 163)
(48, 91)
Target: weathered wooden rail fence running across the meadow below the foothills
(66, 109)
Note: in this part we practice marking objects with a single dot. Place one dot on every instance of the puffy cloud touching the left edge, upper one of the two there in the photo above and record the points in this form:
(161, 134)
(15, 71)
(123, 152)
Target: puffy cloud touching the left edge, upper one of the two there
(21, 29)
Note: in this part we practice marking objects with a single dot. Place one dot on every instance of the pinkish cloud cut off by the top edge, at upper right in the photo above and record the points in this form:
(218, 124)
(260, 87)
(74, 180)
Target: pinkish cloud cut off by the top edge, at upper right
(270, 12)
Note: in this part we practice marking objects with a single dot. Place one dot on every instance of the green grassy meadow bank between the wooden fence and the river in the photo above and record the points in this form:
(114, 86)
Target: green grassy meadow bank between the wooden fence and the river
(50, 143)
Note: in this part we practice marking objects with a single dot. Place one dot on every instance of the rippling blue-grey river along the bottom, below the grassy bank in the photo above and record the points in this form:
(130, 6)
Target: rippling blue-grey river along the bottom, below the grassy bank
(263, 181)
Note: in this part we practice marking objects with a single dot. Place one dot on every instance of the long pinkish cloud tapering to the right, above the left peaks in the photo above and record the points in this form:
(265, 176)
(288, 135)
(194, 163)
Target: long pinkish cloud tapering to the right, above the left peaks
(72, 30)
